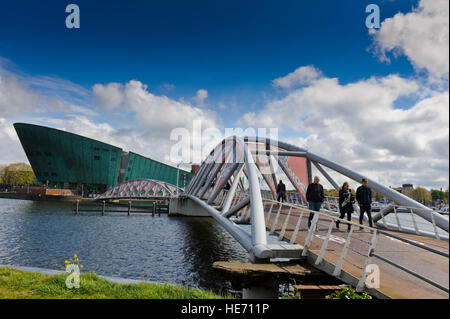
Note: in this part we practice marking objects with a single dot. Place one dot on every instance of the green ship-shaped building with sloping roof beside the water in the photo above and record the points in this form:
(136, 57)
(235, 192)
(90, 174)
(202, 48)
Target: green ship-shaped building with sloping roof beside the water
(65, 160)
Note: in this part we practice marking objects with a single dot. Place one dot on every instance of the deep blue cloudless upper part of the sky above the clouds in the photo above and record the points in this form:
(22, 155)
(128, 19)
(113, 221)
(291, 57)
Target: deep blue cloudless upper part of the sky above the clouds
(234, 48)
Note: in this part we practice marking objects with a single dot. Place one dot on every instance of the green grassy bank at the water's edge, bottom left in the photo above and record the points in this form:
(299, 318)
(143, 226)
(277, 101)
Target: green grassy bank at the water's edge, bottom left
(17, 284)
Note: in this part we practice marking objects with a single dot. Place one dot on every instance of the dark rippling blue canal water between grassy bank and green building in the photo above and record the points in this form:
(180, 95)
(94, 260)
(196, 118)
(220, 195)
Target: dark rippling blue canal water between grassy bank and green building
(178, 250)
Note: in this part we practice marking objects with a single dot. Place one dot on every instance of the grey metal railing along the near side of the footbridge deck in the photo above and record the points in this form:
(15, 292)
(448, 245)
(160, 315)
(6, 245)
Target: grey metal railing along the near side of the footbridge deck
(347, 256)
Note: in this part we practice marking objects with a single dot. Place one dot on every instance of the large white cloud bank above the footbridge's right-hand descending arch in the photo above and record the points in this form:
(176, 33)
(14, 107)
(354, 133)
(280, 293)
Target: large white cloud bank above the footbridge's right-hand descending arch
(357, 125)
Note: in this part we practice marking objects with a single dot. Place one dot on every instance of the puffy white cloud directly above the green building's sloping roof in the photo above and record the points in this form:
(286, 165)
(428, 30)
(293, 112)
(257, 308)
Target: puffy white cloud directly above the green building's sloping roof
(155, 116)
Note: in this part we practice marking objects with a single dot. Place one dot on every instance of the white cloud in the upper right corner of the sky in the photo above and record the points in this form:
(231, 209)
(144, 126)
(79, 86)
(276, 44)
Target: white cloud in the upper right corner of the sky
(421, 35)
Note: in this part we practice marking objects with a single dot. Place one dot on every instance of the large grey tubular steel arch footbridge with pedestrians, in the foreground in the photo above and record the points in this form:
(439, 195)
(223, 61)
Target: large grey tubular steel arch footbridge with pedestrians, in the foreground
(421, 269)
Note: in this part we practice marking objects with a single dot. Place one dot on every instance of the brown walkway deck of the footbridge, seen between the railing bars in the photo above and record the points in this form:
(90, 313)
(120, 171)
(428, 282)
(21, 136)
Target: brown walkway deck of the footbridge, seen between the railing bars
(394, 283)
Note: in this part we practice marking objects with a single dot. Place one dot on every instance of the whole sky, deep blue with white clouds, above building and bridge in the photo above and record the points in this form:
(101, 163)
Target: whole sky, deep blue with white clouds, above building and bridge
(374, 100)
